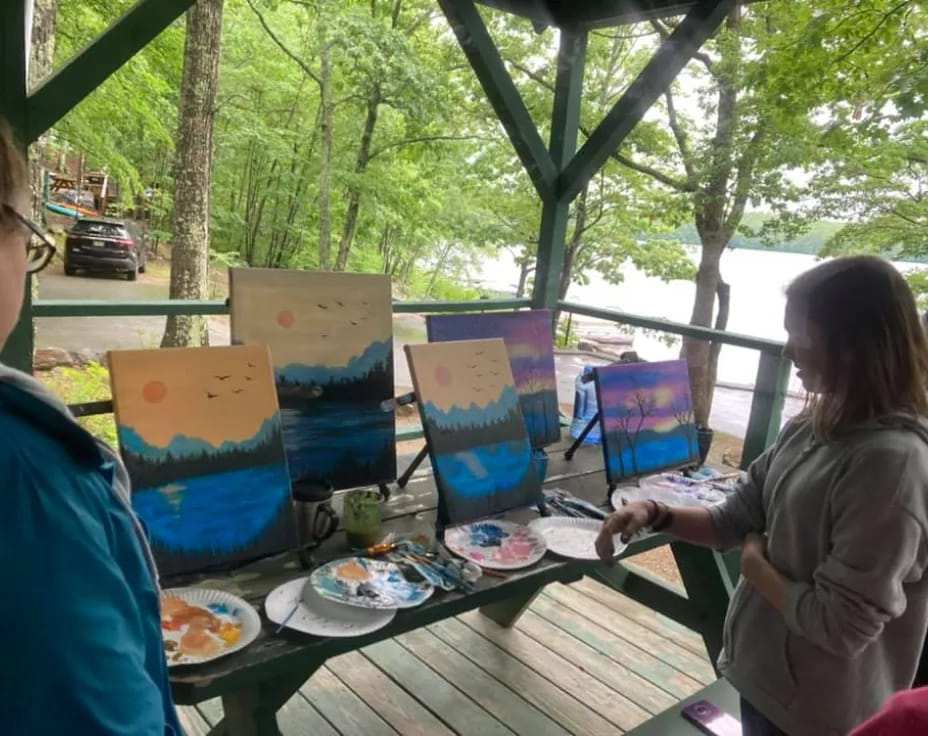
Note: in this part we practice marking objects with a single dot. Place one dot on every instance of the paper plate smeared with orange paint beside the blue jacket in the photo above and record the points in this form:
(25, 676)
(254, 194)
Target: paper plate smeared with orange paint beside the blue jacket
(199, 625)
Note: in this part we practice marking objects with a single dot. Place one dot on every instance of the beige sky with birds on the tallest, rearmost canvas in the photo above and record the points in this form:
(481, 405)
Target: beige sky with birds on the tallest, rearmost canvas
(310, 317)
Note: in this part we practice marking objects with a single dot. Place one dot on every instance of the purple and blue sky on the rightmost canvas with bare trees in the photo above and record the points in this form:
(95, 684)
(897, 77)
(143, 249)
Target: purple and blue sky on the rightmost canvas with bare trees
(667, 382)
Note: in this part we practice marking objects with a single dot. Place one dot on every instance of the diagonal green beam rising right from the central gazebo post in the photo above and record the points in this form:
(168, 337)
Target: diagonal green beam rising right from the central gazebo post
(674, 54)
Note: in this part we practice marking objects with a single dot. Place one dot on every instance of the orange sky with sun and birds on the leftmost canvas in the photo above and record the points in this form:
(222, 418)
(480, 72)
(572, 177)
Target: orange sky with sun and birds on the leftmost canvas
(166, 392)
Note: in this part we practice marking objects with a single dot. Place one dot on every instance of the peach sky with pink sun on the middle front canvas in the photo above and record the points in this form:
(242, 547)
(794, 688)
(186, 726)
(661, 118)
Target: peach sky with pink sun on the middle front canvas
(460, 373)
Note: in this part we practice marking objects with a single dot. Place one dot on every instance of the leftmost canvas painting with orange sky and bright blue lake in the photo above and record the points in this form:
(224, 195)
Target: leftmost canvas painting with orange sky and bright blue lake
(201, 438)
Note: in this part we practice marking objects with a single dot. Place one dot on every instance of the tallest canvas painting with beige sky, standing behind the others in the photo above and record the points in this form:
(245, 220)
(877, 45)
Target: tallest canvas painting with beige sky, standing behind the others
(331, 340)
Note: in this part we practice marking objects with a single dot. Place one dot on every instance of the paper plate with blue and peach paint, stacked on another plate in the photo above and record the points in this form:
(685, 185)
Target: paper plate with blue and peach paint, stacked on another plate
(366, 583)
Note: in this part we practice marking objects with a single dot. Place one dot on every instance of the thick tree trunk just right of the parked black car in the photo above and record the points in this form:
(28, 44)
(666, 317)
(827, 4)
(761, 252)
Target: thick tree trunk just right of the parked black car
(192, 178)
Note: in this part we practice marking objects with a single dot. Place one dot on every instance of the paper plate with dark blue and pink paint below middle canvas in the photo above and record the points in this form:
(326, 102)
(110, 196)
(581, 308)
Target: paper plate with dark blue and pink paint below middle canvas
(496, 545)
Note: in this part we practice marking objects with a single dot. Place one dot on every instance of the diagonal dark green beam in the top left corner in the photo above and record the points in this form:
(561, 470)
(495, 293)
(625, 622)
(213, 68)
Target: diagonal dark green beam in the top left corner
(64, 89)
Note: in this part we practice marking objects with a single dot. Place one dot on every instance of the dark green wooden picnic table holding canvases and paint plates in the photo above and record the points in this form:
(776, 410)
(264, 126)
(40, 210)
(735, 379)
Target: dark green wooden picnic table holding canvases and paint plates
(256, 682)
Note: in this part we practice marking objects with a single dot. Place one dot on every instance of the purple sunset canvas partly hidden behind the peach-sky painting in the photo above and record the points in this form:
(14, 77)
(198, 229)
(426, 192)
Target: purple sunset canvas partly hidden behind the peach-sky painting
(530, 343)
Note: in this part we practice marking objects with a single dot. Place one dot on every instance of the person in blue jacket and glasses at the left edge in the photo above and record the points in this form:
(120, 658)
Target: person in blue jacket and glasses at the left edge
(80, 631)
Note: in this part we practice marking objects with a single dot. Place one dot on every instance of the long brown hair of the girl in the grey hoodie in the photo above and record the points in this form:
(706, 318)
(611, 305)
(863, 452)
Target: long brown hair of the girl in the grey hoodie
(875, 348)
